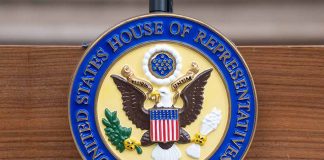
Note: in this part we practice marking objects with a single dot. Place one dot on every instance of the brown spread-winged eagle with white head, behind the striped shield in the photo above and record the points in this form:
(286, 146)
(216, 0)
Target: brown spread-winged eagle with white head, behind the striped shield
(133, 104)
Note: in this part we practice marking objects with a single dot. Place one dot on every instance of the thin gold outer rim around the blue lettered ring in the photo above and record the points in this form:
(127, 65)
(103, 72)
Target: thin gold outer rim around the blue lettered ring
(166, 15)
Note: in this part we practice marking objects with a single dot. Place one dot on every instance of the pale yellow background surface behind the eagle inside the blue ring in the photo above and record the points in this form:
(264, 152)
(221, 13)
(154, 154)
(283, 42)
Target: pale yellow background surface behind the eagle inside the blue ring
(215, 96)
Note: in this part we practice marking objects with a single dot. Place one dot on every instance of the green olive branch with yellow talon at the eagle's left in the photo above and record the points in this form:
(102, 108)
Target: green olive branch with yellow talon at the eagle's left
(118, 134)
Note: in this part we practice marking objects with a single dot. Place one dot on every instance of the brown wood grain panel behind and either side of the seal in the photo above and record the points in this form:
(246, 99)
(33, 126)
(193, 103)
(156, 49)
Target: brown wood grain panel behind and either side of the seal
(34, 82)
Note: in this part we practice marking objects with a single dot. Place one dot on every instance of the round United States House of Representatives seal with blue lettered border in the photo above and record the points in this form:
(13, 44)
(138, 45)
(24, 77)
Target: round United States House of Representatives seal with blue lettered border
(162, 86)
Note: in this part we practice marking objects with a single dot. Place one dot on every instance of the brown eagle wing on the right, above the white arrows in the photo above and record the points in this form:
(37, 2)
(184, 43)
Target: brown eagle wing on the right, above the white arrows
(192, 96)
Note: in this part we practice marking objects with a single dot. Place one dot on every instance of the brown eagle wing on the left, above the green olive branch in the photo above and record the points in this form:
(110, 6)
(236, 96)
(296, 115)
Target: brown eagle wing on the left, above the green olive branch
(133, 102)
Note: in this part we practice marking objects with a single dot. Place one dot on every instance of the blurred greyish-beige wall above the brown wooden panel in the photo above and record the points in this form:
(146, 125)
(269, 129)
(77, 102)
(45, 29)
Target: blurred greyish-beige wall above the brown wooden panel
(245, 22)
